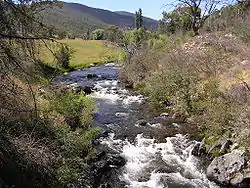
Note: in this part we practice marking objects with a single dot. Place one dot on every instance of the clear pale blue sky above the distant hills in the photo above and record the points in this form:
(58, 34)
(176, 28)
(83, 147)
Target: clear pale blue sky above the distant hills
(152, 9)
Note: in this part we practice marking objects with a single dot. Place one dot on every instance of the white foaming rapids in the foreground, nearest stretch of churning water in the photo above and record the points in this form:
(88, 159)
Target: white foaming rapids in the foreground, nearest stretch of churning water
(159, 165)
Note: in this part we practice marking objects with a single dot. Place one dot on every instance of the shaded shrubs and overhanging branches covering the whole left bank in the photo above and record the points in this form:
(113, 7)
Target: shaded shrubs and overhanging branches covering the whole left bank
(46, 131)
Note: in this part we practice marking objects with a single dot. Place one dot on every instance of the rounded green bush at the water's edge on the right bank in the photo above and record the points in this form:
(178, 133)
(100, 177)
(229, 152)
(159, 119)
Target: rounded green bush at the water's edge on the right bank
(175, 86)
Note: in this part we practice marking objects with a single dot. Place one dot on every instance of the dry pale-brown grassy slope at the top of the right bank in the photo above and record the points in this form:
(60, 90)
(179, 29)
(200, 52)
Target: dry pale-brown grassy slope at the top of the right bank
(218, 55)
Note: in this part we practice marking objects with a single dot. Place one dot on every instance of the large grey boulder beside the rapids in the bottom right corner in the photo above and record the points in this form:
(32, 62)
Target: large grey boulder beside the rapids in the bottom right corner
(226, 169)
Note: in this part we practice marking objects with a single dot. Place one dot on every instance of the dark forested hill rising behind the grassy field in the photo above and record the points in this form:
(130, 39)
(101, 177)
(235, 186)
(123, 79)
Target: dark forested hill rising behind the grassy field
(77, 18)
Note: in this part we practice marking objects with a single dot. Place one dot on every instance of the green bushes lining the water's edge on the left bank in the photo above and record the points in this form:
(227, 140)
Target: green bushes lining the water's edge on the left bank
(73, 140)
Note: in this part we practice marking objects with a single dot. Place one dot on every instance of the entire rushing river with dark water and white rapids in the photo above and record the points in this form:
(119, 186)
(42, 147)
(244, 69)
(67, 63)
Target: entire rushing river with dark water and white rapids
(158, 155)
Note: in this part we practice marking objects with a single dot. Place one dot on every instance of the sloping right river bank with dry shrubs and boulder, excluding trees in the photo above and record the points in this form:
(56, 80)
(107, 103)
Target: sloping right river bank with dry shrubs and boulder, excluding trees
(203, 80)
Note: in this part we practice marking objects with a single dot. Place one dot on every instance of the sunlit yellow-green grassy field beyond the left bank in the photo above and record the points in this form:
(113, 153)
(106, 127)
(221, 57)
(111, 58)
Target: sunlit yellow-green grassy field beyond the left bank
(85, 53)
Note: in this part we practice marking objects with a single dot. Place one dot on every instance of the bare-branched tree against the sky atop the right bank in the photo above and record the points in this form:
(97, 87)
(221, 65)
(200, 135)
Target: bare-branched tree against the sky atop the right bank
(199, 10)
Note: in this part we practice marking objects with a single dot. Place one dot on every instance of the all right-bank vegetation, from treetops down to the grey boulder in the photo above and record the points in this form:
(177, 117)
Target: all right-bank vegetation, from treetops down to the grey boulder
(201, 77)
